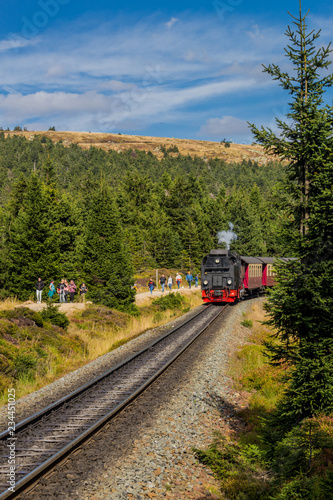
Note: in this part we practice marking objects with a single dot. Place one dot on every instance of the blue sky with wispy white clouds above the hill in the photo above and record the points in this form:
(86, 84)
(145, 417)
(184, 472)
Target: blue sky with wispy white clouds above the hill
(183, 69)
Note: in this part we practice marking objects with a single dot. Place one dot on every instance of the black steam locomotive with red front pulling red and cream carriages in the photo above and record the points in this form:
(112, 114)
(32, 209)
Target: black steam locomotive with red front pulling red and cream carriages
(227, 277)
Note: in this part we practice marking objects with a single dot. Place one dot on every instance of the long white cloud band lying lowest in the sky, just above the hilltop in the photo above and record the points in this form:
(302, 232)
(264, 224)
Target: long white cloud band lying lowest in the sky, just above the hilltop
(144, 102)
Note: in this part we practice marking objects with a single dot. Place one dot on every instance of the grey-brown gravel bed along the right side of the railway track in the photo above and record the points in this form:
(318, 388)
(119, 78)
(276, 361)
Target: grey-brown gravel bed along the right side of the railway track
(147, 452)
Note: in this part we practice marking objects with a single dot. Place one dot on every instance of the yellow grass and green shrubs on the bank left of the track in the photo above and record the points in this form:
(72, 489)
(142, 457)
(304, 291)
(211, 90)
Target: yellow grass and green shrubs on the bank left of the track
(37, 348)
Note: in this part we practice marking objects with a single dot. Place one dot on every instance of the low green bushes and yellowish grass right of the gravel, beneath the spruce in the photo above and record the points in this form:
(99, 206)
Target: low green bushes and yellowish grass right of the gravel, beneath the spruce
(262, 462)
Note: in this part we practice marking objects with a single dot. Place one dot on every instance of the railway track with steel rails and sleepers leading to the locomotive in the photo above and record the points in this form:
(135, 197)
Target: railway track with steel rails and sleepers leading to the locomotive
(46, 438)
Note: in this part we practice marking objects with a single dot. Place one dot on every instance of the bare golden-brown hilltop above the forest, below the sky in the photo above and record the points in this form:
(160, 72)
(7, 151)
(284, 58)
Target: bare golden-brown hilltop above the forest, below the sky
(122, 142)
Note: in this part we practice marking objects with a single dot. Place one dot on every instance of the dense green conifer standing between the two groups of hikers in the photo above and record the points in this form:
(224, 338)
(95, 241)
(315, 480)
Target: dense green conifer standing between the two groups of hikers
(106, 262)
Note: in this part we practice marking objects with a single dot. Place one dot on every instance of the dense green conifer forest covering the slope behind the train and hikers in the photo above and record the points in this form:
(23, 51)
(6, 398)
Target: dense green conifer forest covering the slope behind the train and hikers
(99, 216)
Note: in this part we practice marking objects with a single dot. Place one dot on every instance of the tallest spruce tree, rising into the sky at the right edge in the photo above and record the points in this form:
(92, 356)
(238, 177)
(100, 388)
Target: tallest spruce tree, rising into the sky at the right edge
(301, 305)
